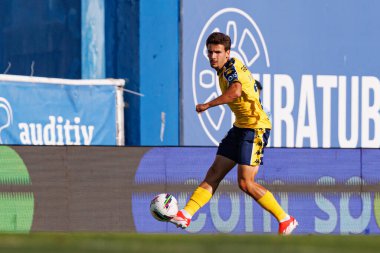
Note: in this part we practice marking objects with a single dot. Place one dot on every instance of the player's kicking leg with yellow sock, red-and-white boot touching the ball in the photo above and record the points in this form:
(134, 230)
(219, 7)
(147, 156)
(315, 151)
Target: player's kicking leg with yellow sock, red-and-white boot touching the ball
(203, 193)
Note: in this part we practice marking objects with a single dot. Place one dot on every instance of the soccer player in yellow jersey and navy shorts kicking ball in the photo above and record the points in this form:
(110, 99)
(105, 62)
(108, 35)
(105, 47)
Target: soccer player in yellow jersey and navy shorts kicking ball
(244, 143)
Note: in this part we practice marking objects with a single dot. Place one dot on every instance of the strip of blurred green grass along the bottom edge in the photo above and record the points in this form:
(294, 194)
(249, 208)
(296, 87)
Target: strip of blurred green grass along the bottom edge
(122, 242)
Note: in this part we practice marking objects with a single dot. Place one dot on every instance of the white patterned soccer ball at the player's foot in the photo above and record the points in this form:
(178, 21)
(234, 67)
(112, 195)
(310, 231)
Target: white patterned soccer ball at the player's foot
(163, 207)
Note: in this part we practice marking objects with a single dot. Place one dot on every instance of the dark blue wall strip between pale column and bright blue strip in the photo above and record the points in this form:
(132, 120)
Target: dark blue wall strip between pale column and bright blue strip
(122, 58)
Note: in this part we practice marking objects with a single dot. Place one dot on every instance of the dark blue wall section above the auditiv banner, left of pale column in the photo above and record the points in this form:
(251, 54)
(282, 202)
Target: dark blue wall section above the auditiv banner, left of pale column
(44, 32)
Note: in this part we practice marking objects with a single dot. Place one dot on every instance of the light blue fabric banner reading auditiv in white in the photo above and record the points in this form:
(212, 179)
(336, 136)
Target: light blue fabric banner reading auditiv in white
(57, 113)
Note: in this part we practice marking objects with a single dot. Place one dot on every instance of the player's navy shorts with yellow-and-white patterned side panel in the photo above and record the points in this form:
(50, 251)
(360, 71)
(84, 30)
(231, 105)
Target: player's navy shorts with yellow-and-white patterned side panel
(245, 146)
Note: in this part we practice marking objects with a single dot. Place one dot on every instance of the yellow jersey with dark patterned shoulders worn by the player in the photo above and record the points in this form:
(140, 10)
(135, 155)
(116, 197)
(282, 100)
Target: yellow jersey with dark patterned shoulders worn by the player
(247, 108)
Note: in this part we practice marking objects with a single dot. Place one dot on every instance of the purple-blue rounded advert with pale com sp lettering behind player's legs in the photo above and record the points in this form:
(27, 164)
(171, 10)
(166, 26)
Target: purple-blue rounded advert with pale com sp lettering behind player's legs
(332, 198)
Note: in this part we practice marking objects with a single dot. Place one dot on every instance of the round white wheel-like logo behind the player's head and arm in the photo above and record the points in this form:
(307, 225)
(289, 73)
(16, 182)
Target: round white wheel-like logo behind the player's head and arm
(248, 45)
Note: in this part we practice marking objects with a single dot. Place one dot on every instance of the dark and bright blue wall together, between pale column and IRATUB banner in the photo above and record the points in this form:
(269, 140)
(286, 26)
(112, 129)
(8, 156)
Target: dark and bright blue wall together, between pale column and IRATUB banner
(142, 45)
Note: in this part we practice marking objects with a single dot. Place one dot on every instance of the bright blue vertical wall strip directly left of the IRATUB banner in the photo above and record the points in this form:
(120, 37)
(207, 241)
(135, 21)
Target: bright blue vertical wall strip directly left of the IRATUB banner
(159, 72)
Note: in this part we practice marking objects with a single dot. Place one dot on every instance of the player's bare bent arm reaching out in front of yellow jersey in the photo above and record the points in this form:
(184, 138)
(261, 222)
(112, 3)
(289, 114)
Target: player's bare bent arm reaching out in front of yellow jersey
(233, 92)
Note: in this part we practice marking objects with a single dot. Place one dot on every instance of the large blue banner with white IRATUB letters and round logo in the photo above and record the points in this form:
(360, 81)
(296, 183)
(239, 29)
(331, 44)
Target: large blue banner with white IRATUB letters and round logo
(317, 61)
